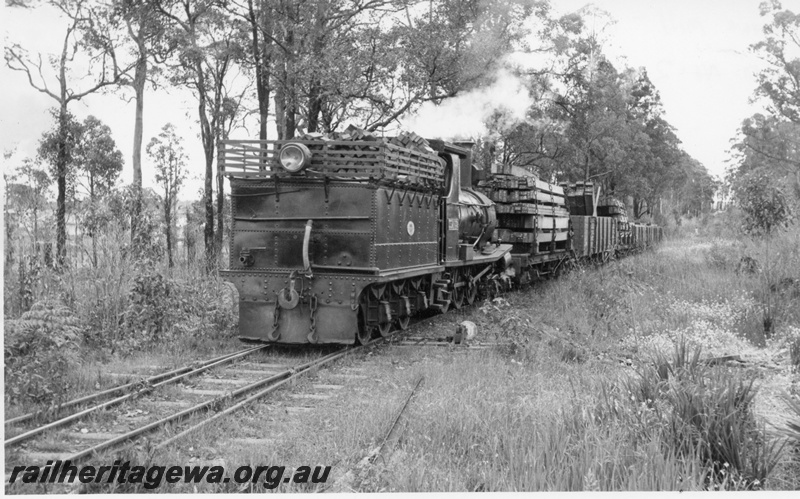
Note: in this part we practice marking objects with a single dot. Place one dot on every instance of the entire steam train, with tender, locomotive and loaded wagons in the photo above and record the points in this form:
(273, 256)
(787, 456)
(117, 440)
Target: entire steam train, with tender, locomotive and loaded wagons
(342, 238)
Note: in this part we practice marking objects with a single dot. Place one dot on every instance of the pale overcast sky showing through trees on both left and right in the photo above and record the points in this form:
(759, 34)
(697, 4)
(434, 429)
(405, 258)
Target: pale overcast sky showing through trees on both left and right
(695, 52)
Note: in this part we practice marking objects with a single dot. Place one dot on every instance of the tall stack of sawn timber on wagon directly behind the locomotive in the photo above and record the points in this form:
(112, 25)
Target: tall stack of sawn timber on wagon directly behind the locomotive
(531, 215)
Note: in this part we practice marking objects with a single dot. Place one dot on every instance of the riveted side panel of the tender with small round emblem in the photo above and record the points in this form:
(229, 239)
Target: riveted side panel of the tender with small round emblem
(406, 229)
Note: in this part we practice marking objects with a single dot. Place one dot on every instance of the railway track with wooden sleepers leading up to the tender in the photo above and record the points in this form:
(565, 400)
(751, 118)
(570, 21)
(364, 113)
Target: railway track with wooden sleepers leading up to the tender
(165, 407)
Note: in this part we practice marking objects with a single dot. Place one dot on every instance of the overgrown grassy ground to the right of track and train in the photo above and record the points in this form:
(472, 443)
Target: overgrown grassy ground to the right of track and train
(586, 393)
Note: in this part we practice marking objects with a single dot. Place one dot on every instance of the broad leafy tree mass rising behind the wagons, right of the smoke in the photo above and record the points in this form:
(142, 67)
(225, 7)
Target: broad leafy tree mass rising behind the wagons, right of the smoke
(594, 121)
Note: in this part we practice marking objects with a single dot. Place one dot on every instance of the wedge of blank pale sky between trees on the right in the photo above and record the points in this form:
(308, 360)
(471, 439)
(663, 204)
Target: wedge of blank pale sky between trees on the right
(696, 54)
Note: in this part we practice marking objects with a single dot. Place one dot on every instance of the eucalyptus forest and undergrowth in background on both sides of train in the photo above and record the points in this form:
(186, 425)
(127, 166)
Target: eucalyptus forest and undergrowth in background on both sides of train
(126, 266)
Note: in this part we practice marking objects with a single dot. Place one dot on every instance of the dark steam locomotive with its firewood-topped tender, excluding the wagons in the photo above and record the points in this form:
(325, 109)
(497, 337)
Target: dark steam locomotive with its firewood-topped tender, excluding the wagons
(342, 237)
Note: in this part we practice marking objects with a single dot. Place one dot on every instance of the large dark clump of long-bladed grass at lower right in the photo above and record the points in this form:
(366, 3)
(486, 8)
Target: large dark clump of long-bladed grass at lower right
(706, 412)
